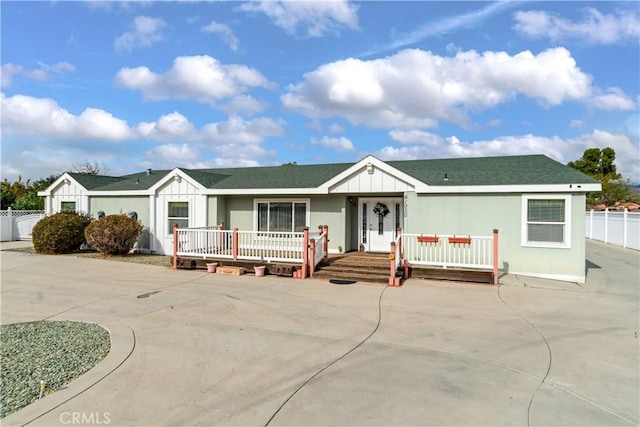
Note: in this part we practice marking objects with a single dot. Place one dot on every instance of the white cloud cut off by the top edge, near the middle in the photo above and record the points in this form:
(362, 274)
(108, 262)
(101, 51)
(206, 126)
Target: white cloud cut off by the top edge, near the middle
(316, 17)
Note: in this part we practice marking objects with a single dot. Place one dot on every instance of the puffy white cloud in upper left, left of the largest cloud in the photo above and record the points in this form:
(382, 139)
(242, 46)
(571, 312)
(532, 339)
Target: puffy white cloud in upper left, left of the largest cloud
(202, 78)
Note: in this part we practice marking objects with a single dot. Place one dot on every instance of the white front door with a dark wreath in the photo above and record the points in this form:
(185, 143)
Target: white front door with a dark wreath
(378, 220)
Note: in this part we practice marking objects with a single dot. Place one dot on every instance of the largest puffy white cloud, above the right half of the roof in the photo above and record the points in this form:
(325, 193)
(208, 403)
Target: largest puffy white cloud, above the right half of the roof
(416, 88)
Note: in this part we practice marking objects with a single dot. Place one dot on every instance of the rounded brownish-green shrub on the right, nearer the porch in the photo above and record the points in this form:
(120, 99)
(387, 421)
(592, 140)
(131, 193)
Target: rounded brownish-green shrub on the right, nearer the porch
(113, 234)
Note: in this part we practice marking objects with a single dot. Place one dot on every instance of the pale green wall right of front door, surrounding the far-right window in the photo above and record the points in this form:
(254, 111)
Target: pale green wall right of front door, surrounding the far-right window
(479, 214)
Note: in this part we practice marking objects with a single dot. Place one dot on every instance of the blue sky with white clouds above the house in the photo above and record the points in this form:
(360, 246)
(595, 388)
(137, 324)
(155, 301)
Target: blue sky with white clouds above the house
(137, 85)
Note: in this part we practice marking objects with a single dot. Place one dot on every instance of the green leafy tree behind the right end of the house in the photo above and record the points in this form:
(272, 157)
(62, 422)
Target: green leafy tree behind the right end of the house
(600, 164)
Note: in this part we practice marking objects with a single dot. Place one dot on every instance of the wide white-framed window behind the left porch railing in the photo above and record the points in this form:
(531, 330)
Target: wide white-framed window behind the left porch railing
(282, 216)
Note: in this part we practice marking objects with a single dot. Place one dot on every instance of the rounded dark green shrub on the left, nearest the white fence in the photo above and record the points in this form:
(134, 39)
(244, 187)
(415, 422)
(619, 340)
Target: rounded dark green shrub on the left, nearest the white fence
(60, 233)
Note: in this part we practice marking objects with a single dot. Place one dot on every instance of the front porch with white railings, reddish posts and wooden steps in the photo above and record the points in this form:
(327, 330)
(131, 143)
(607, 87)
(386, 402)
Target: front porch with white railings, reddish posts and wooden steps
(302, 255)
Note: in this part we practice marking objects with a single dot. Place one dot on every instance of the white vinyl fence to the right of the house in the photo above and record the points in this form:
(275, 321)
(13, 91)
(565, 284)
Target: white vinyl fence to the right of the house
(614, 227)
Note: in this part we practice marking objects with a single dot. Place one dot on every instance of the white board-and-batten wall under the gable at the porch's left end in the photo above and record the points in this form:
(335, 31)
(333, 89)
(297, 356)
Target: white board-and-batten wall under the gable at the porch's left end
(176, 191)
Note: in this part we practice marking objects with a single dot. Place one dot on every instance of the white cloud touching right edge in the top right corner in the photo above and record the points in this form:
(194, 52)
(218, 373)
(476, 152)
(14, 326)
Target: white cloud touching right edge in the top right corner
(595, 27)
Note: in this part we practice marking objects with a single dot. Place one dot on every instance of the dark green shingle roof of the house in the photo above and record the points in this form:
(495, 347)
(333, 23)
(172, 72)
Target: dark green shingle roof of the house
(504, 170)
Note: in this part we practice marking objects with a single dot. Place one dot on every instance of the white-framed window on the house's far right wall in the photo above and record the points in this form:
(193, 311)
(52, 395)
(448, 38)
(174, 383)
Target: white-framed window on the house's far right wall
(546, 221)
